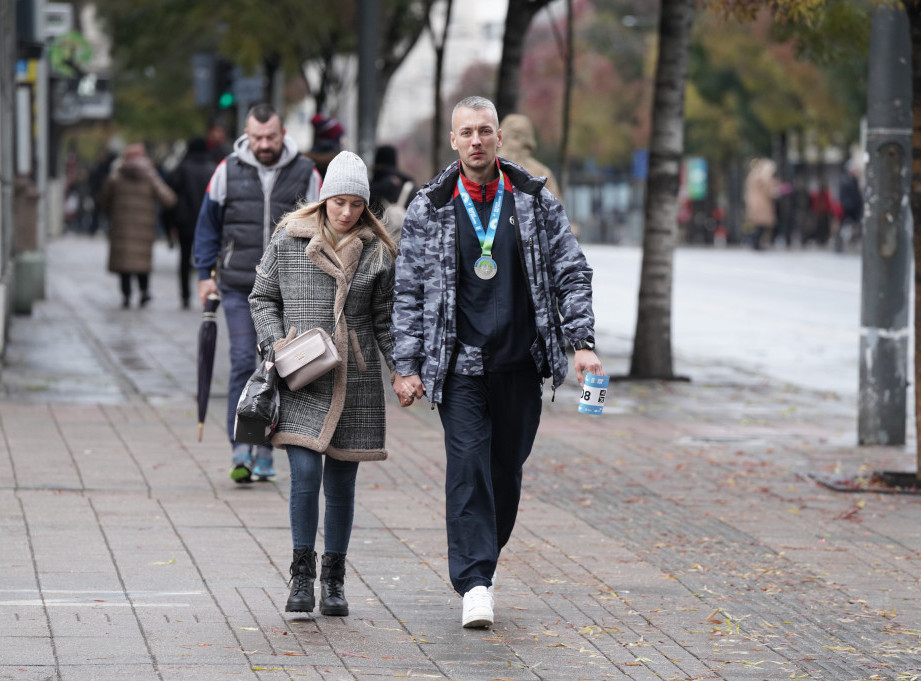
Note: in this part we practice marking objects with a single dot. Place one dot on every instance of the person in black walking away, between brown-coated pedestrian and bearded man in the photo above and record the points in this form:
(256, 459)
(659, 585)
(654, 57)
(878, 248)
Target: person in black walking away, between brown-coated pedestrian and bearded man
(190, 181)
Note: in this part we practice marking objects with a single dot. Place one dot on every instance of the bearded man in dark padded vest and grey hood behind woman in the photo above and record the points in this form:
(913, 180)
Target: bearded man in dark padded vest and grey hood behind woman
(264, 178)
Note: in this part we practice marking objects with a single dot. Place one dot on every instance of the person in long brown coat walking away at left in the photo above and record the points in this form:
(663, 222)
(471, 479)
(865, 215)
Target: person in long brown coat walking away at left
(129, 197)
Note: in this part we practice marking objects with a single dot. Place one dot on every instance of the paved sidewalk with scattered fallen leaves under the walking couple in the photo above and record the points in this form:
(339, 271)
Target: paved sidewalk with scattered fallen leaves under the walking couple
(676, 537)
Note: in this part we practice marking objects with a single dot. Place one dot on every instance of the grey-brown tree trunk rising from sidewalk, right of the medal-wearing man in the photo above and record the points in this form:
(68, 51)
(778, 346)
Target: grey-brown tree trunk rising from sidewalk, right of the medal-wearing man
(652, 343)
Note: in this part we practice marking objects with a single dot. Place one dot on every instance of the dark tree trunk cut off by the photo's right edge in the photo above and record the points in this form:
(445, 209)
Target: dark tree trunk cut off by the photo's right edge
(913, 9)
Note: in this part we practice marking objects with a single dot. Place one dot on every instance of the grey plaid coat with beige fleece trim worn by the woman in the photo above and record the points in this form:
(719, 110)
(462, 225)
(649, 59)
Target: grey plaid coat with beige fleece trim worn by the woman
(300, 284)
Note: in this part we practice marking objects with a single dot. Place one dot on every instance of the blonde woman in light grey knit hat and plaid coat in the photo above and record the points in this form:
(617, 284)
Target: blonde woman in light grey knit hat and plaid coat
(329, 265)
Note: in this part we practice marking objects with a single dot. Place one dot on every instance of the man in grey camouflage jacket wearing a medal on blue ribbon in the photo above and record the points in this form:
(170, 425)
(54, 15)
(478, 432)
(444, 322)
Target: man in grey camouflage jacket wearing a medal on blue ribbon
(479, 343)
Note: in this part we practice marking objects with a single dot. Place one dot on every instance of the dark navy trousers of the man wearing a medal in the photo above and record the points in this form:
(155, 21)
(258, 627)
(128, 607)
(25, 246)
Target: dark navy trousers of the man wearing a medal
(490, 423)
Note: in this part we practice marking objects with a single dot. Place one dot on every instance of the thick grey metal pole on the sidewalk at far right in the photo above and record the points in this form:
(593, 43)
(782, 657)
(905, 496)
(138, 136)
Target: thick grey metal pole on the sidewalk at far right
(887, 240)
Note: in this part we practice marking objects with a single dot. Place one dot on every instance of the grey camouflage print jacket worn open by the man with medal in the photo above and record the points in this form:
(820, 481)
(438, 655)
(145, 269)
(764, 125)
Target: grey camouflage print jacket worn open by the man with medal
(425, 296)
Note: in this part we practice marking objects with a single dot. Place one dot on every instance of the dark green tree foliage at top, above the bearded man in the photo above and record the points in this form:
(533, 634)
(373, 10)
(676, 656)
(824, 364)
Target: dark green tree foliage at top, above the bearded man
(154, 36)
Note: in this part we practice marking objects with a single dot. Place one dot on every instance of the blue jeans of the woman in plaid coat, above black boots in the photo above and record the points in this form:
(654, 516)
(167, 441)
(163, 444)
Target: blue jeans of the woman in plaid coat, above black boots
(338, 479)
